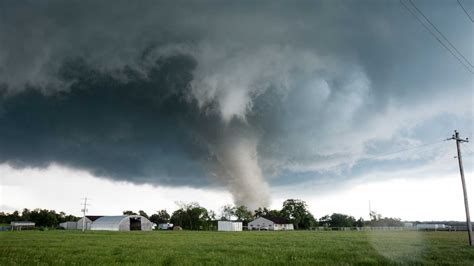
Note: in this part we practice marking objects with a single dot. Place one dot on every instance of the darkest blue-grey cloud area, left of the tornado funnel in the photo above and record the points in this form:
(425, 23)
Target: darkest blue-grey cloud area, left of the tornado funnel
(137, 128)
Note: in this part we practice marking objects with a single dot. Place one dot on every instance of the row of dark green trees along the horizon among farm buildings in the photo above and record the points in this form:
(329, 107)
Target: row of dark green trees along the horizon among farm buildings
(192, 216)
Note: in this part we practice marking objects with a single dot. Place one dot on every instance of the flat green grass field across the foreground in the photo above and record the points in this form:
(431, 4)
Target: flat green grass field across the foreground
(236, 248)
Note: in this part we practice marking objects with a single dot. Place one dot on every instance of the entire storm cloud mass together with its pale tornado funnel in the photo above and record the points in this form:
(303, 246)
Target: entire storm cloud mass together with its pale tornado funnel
(184, 92)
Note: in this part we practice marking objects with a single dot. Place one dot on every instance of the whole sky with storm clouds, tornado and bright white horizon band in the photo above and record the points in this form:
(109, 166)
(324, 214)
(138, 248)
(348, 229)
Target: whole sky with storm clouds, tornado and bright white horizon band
(140, 106)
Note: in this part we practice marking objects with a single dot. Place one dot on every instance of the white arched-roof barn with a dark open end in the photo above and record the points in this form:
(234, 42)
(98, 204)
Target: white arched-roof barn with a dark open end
(122, 223)
